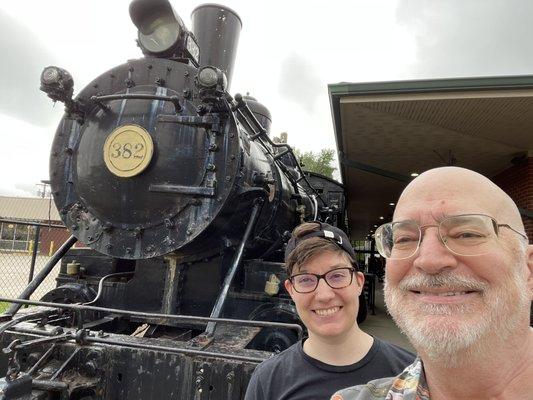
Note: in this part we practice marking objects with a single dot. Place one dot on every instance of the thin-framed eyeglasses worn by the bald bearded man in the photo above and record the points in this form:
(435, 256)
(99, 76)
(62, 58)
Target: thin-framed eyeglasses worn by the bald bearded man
(464, 235)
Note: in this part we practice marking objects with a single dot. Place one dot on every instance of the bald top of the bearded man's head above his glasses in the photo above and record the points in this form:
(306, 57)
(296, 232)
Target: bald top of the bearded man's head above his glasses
(466, 190)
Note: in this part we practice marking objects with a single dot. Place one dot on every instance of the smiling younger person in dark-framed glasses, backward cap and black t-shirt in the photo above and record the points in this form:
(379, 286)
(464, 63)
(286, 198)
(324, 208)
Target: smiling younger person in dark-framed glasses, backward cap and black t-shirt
(325, 285)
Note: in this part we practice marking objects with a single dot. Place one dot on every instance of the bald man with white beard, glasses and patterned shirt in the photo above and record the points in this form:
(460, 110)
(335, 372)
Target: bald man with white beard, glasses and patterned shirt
(459, 283)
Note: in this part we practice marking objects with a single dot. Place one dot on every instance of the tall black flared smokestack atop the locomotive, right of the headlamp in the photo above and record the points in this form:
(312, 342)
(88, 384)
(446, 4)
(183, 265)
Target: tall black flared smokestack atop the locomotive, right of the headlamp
(217, 30)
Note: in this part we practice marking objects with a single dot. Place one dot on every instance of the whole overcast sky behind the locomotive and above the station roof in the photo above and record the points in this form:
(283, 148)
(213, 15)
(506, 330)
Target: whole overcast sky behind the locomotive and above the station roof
(288, 53)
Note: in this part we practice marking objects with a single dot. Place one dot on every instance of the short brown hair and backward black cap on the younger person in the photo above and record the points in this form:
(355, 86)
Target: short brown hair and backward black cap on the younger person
(312, 238)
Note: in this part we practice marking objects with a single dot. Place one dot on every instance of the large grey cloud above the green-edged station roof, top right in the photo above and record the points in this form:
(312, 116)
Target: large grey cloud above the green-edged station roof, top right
(470, 38)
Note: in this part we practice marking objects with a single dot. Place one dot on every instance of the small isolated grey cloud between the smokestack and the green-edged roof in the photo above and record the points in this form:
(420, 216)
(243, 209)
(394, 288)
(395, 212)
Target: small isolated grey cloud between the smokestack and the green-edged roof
(299, 82)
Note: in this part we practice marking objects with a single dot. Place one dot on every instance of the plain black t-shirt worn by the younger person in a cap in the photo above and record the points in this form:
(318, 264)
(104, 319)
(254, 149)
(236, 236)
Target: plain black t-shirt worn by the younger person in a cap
(293, 375)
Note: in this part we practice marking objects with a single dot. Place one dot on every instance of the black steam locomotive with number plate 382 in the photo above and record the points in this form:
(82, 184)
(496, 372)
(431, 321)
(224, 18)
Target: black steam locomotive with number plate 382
(184, 204)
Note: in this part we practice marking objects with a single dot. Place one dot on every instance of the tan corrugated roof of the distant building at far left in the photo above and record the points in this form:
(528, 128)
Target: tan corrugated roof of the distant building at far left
(25, 208)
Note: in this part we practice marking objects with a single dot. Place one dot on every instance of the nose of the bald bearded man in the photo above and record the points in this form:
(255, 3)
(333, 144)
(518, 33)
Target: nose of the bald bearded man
(433, 256)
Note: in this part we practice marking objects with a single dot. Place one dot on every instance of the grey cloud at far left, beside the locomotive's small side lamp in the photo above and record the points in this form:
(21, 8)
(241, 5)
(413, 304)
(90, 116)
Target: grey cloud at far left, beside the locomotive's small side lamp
(25, 56)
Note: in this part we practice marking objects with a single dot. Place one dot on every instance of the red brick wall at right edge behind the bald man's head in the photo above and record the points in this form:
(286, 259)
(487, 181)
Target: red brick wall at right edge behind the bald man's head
(517, 182)
